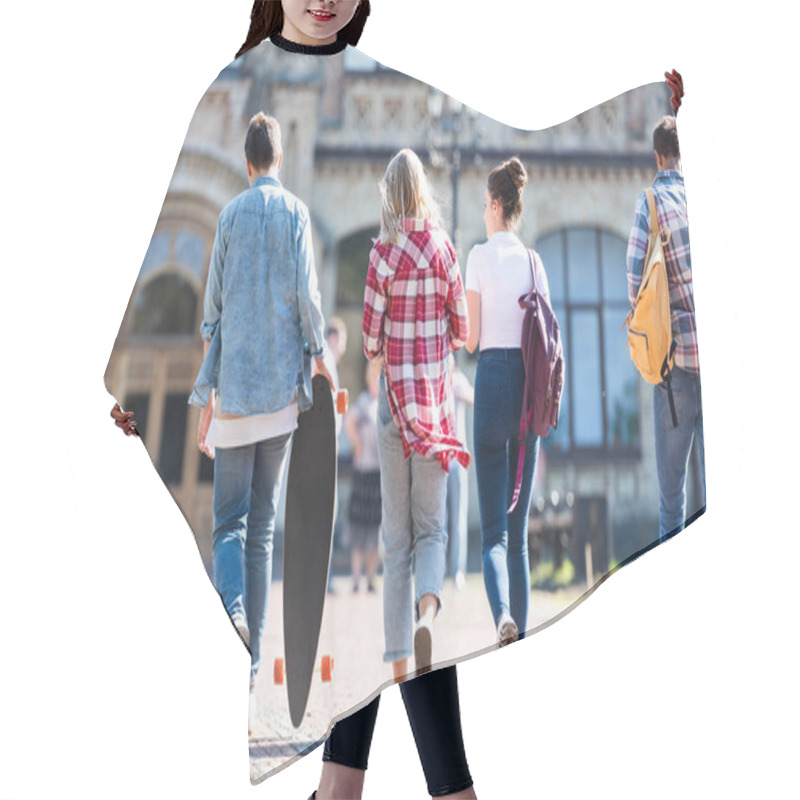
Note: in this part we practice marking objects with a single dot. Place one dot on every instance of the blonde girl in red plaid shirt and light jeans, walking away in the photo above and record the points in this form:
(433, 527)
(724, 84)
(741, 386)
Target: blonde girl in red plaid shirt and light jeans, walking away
(415, 315)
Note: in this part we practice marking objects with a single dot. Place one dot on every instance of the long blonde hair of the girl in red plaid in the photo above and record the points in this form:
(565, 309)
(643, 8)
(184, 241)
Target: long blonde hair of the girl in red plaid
(406, 193)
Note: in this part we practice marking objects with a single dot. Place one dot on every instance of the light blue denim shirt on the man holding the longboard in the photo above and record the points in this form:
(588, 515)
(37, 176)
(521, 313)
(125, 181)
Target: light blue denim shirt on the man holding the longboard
(262, 313)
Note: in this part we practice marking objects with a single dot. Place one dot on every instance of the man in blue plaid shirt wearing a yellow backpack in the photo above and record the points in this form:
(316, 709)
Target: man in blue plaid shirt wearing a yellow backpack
(661, 326)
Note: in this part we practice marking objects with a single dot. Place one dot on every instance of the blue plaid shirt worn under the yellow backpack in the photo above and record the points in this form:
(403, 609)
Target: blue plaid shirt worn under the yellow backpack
(670, 198)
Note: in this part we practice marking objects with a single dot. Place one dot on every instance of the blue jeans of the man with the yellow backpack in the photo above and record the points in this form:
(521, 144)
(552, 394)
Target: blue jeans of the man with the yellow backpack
(674, 445)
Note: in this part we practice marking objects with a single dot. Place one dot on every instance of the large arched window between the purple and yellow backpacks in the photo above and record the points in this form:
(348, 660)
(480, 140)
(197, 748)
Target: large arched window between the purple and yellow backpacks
(588, 287)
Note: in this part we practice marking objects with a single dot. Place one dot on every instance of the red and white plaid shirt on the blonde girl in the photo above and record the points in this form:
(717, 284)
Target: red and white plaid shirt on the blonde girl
(415, 313)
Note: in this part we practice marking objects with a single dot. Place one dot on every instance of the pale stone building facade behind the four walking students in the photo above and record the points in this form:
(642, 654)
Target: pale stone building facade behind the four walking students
(342, 118)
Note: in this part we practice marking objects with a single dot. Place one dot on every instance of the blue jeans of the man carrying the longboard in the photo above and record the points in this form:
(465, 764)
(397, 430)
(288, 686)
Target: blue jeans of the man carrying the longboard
(247, 483)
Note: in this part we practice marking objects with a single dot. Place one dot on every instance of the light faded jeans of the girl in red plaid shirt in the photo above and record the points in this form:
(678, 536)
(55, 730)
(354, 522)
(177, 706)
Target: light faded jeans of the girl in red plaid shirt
(414, 496)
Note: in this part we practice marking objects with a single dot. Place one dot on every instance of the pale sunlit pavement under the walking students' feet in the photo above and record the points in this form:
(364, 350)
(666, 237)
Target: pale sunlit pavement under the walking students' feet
(352, 633)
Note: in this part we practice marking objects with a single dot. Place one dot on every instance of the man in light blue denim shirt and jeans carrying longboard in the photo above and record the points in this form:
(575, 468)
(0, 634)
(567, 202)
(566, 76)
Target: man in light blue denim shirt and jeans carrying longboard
(262, 326)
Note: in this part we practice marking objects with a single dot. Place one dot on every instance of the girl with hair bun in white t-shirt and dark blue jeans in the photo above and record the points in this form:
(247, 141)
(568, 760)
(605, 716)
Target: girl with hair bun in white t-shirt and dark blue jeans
(498, 273)
